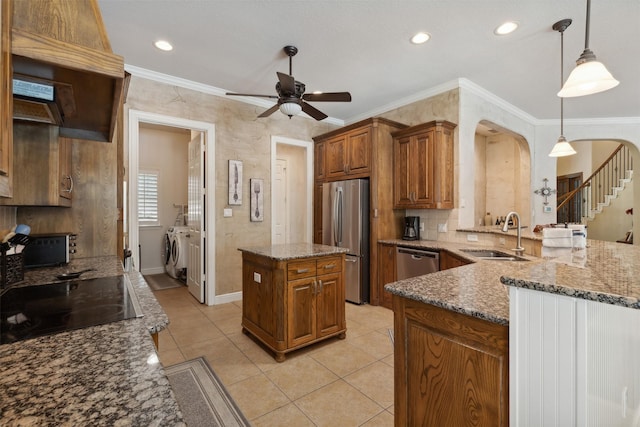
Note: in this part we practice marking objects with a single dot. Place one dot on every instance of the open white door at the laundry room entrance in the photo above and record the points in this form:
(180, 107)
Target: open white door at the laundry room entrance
(196, 218)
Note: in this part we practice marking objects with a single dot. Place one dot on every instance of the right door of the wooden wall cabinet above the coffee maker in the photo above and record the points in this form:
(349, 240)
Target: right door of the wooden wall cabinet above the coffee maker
(422, 175)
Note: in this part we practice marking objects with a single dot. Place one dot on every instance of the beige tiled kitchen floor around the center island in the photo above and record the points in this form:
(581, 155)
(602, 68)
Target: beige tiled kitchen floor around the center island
(334, 383)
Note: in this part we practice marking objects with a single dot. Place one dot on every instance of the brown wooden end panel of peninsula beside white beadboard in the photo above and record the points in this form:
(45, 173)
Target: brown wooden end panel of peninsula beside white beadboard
(450, 369)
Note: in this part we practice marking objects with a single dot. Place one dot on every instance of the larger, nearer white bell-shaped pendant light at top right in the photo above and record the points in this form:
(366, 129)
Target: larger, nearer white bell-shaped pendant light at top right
(590, 76)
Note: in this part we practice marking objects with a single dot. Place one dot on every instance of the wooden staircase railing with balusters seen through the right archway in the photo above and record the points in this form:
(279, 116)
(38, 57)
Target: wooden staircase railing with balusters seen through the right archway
(601, 182)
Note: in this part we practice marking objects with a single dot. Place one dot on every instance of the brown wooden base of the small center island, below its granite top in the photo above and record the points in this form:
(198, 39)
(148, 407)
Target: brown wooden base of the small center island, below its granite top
(290, 304)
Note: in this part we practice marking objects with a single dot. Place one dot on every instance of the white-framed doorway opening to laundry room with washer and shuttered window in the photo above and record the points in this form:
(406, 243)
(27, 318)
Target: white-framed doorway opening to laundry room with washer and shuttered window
(163, 221)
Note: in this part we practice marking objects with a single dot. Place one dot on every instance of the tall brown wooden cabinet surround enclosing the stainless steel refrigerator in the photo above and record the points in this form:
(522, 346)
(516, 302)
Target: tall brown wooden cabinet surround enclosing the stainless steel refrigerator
(362, 150)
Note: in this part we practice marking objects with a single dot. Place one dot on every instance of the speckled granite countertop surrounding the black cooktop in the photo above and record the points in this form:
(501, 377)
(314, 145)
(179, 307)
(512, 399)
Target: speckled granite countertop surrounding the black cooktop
(101, 375)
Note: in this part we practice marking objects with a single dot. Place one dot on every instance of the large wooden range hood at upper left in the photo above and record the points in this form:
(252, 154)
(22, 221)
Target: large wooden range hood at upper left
(69, 58)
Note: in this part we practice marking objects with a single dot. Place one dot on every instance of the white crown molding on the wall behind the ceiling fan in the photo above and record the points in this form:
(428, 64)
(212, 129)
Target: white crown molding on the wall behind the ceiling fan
(211, 90)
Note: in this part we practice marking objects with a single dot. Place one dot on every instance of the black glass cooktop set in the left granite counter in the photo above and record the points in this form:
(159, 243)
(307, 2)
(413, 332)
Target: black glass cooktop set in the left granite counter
(33, 311)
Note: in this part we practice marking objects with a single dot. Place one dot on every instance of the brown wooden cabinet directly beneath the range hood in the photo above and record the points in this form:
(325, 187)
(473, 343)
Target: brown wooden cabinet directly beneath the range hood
(42, 167)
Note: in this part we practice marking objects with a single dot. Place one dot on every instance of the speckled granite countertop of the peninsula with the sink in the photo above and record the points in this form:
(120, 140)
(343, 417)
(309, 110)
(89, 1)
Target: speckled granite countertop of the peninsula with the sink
(604, 272)
